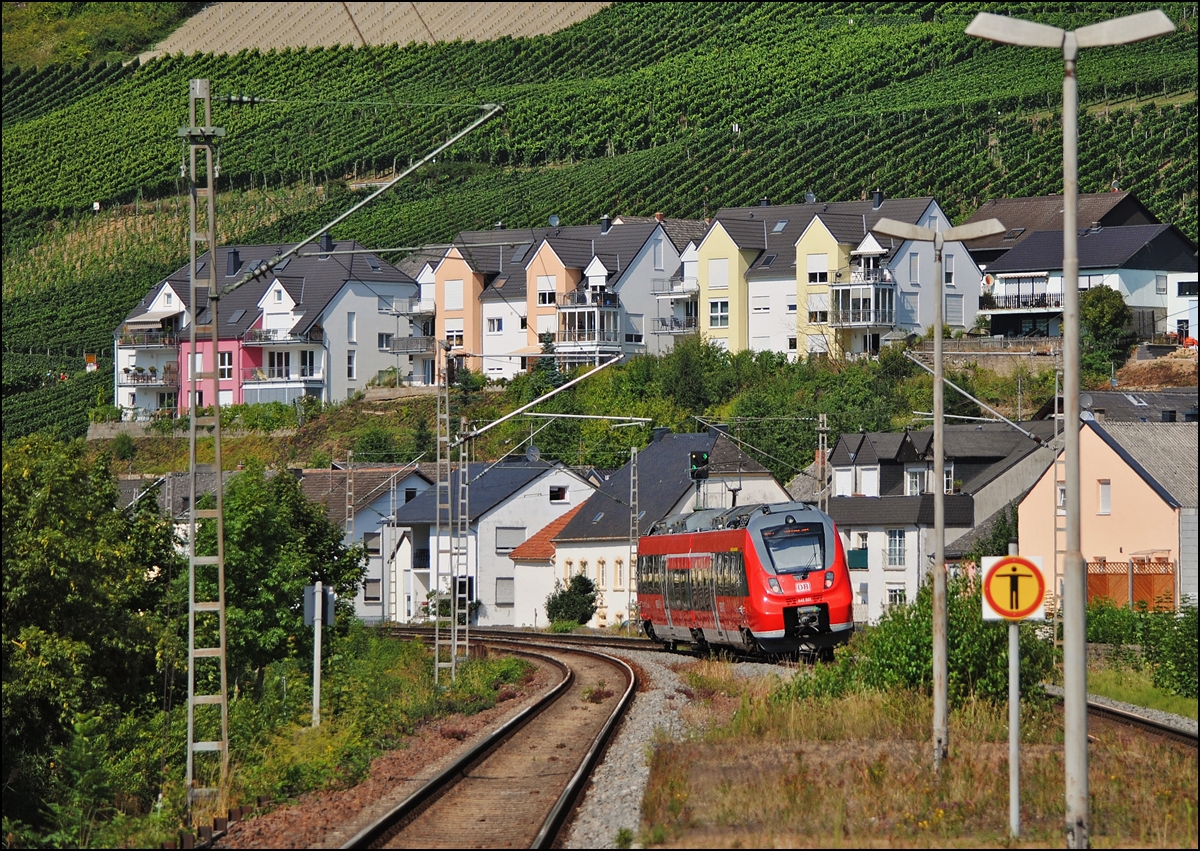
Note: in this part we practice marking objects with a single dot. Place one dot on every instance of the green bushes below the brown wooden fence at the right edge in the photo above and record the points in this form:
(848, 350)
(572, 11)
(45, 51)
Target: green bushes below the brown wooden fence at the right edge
(1168, 640)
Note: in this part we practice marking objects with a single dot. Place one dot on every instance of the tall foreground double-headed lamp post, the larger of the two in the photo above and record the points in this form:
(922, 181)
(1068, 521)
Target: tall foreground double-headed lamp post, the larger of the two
(1075, 592)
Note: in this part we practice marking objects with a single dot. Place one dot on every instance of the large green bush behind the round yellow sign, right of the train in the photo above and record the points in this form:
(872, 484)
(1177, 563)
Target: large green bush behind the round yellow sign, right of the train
(898, 652)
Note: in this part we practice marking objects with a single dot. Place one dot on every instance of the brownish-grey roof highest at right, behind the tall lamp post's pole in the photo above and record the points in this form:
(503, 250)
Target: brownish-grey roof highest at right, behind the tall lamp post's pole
(1045, 213)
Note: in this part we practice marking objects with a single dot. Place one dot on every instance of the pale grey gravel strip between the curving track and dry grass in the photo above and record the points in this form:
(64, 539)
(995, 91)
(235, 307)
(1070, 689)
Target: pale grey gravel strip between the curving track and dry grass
(614, 799)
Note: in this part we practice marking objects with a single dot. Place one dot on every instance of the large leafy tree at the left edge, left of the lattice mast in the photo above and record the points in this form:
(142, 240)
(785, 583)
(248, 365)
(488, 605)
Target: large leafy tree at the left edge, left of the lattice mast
(83, 585)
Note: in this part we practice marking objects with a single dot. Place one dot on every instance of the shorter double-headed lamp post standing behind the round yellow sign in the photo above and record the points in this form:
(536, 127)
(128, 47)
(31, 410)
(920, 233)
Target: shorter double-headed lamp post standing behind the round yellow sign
(890, 227)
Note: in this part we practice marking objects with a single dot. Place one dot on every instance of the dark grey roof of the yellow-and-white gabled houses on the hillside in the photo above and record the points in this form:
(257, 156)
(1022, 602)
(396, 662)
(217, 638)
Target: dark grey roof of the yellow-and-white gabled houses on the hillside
(848, 220)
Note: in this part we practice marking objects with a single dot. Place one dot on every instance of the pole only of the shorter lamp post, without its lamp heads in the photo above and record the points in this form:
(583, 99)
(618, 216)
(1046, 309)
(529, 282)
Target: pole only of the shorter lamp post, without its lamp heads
(941, 674)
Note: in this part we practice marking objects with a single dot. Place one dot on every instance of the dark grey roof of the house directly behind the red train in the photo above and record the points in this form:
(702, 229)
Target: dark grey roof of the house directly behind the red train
(663, 481)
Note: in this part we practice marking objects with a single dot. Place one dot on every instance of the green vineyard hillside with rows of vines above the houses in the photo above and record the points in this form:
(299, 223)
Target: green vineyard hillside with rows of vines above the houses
(629, 112)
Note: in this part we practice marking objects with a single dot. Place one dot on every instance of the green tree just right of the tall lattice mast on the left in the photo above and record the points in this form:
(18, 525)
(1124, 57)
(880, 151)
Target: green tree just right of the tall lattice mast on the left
(277, 543)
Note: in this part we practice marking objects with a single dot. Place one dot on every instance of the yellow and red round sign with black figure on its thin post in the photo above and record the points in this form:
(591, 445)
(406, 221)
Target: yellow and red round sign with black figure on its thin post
(1015, 590)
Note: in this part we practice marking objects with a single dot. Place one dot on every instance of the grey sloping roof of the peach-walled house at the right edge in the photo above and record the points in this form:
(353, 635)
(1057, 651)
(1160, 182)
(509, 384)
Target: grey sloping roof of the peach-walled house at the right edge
(1165, 454)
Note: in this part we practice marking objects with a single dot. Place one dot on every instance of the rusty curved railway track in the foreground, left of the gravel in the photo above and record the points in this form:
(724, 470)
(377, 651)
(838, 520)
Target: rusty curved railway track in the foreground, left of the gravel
(517, 788)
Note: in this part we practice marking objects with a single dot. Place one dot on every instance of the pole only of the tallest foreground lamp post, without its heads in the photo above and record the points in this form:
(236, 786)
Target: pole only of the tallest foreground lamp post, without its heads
(1075, 602)
